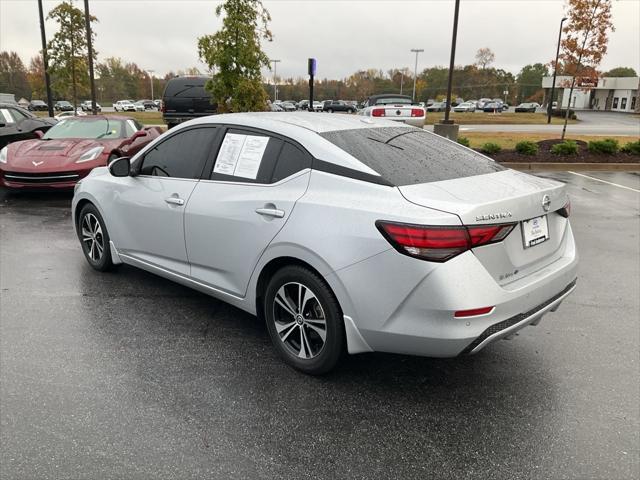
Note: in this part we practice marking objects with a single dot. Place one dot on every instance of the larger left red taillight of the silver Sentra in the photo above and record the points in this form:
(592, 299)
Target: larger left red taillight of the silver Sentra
(439, 244)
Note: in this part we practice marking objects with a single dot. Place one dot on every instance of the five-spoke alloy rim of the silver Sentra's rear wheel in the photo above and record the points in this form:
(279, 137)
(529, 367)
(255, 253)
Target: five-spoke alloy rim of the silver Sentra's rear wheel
(300, 320)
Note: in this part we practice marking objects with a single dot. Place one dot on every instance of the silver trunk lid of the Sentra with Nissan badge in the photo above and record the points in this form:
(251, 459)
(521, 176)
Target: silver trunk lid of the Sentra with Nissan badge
(507, 196)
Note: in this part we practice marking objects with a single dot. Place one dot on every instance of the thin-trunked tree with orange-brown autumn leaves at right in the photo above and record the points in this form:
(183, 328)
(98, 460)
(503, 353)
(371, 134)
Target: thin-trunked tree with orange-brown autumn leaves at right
(585, 40)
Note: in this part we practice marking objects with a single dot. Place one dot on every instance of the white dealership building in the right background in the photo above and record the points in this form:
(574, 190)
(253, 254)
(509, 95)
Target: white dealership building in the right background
(616, 94)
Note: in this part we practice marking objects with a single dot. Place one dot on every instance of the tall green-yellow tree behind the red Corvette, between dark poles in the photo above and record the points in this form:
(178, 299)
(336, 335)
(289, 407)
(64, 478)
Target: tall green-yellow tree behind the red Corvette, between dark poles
(68, 51)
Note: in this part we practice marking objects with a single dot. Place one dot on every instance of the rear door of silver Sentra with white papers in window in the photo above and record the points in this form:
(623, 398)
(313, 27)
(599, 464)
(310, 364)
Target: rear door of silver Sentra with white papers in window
(232, 217)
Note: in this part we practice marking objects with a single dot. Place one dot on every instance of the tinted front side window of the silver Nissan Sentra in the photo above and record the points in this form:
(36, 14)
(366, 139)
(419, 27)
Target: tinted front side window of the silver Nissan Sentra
(182, 155)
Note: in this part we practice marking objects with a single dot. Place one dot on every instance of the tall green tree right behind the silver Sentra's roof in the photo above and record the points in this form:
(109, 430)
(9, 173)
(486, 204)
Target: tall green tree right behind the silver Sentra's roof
(235, 56)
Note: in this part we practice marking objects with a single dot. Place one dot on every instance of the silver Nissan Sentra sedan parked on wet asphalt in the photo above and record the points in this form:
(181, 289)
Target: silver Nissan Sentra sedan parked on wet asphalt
(340, 232)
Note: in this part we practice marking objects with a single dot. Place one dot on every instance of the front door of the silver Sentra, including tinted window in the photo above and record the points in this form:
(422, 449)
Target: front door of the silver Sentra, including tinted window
(148, 208)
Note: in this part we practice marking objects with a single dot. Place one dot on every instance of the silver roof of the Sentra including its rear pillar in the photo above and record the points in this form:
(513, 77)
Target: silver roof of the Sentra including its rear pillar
(304, 128)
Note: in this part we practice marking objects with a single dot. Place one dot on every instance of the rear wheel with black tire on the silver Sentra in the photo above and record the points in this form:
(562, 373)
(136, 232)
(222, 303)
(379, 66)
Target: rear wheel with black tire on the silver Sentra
(311, 338)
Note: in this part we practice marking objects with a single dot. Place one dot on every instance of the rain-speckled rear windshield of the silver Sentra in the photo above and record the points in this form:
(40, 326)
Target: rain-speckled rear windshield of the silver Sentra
(408, 156)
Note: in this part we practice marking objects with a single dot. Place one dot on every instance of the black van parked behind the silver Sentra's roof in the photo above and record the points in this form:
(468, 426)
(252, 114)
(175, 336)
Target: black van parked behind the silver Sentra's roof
(185, 98)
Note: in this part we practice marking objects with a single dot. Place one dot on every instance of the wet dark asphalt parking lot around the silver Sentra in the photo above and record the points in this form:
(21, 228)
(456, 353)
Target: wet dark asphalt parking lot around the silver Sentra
(127, 375)
